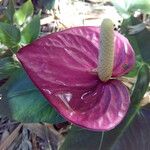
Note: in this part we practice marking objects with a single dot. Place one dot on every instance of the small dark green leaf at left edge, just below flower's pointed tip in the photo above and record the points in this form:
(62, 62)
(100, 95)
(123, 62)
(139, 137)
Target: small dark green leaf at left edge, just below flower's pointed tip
(7, 67)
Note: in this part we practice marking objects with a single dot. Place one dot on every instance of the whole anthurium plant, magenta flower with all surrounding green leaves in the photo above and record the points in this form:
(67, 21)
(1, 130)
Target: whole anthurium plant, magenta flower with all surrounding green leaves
(61, 71)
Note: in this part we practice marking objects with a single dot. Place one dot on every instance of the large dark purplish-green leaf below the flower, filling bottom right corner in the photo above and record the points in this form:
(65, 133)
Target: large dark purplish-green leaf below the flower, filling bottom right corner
(136, 137)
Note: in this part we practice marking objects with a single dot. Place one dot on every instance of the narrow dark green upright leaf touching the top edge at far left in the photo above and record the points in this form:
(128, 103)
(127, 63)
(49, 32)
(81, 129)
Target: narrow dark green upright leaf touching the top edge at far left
(9, 13)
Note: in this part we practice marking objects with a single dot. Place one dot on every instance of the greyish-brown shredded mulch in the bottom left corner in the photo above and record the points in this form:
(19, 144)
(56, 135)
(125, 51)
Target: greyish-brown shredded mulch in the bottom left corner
(29, 136)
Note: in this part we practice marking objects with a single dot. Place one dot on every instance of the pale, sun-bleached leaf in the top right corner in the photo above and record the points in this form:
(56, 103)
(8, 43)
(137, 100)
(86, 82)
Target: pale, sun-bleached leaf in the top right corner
(127, 7)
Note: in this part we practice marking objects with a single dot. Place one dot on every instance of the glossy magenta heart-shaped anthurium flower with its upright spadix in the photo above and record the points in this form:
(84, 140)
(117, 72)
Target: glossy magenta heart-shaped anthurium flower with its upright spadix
(76, 70)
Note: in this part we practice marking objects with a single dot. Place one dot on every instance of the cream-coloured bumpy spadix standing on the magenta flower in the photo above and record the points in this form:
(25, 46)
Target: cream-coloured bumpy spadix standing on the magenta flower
(106, 55)
